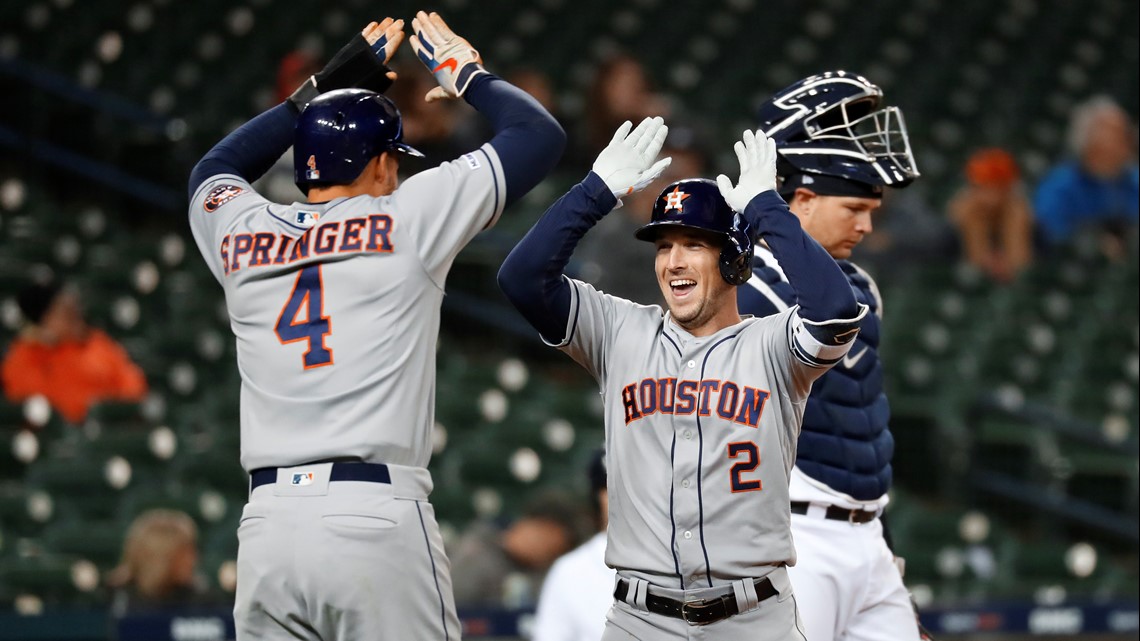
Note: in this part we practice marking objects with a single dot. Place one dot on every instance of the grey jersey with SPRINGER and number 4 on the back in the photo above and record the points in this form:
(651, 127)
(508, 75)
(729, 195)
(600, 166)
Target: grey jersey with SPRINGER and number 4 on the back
(336, 307)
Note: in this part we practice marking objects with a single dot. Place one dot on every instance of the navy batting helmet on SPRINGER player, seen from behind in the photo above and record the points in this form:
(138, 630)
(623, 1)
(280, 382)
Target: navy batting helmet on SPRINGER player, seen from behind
(340, 132)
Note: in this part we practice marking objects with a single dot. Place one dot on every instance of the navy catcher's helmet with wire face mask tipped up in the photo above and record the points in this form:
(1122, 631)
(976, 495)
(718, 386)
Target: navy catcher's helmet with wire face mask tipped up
(835, 125)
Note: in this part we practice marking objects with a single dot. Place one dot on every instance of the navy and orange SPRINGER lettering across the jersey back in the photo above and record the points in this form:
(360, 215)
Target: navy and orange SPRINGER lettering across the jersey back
(263, 249)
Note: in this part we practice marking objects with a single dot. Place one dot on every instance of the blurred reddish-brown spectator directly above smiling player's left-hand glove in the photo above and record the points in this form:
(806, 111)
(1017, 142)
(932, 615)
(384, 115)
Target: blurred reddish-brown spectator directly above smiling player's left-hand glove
(621, 92)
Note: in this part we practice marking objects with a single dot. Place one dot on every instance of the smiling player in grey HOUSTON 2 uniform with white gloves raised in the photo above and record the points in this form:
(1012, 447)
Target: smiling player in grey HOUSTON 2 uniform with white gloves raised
(703, 408)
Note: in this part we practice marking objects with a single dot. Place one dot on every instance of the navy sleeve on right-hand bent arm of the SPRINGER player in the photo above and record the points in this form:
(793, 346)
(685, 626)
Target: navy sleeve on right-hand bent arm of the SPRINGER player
(528, 141)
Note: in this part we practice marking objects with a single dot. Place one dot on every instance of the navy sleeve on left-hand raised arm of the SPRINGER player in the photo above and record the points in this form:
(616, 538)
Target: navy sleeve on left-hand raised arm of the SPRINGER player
(250, 150)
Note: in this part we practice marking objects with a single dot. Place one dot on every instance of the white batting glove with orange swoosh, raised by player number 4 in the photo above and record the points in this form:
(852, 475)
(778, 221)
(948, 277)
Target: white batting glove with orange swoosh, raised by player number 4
(452, 60)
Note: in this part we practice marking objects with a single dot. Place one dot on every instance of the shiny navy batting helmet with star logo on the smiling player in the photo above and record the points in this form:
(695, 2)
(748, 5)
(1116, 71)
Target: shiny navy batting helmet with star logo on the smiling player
(697, 205)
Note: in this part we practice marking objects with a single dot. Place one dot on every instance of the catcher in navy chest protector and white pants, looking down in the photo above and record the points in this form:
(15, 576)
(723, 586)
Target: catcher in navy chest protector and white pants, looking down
(840, 147)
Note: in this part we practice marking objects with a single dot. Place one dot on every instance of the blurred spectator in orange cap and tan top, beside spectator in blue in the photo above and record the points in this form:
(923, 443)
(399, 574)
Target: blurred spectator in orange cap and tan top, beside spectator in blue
(992, 215)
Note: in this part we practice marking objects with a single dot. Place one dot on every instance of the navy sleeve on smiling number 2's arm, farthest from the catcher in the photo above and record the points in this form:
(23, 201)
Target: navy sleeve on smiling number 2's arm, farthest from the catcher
(532, 275)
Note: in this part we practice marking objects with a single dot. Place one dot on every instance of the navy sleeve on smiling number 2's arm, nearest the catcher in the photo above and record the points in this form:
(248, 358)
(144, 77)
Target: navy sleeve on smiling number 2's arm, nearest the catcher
(821, 289)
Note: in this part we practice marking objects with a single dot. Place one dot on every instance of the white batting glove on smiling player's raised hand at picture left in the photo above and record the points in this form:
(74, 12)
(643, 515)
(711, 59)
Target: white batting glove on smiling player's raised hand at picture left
(626, 165)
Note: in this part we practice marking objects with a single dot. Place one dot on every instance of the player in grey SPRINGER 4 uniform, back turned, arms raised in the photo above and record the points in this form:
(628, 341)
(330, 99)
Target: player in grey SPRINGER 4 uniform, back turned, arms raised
(336, 305)
